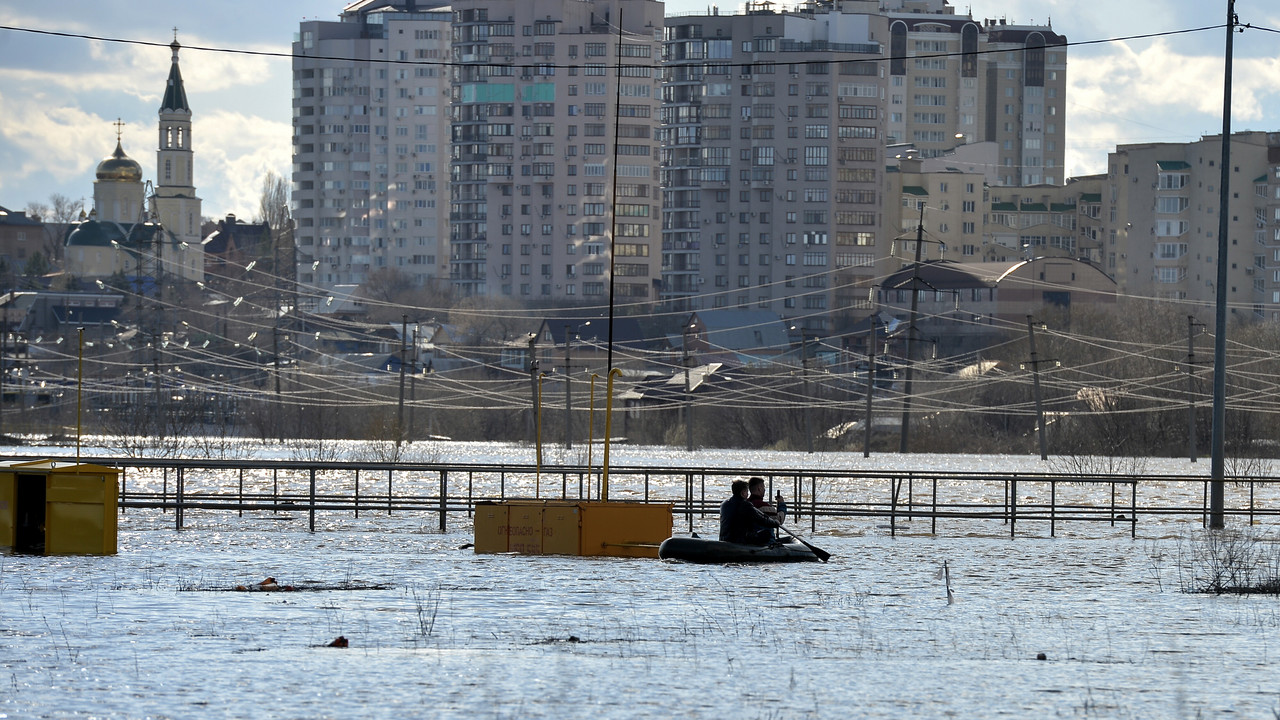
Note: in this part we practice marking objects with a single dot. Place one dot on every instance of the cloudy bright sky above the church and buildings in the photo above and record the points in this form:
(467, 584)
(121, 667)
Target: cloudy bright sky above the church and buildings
(61, 97)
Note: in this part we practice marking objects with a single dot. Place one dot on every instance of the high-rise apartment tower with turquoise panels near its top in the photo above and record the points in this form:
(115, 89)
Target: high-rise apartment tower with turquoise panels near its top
(555, 152)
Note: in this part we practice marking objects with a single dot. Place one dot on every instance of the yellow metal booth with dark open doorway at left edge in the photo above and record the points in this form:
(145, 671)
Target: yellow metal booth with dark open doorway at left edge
(58, 508)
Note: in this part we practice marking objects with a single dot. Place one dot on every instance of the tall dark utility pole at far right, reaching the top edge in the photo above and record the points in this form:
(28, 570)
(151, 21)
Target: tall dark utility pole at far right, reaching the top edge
(1217, 496)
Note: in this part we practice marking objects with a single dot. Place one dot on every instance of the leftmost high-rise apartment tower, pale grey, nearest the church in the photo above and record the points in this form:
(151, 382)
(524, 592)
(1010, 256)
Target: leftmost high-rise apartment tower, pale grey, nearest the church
(371, 144)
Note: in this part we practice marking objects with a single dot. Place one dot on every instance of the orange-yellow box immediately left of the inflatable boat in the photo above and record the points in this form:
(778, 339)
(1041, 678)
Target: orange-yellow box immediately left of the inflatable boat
(624, 530)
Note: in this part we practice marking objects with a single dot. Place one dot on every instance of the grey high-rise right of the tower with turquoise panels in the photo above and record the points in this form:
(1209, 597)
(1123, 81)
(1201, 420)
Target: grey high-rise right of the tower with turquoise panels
(772, 161)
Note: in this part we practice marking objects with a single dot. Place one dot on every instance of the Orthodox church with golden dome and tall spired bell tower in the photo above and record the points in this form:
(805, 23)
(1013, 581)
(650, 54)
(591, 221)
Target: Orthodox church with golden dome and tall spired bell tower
(136, 229)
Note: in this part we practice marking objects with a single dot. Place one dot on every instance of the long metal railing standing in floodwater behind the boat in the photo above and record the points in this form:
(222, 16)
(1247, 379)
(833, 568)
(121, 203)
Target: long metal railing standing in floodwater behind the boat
(454, 490)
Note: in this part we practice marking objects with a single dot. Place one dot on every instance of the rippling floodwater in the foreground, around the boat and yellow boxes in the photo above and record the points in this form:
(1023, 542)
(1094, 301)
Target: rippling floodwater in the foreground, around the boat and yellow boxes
(436, 631)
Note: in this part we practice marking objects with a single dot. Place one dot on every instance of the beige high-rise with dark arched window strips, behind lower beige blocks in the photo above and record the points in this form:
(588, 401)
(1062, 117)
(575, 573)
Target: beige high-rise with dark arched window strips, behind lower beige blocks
(954, 80)
